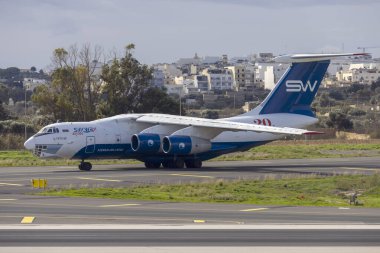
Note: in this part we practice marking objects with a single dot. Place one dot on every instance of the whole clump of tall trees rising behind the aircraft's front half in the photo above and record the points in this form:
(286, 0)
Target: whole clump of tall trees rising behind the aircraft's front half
(78, 93)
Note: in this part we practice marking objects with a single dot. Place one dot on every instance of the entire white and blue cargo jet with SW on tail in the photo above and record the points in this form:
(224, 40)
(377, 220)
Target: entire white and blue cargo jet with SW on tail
(175, 141)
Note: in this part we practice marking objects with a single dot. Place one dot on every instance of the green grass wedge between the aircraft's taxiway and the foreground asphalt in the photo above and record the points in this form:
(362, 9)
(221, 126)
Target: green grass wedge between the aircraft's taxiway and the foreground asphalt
(303, 191)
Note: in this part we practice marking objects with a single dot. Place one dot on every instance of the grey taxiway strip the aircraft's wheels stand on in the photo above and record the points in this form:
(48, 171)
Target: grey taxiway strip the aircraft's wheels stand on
(17, 179)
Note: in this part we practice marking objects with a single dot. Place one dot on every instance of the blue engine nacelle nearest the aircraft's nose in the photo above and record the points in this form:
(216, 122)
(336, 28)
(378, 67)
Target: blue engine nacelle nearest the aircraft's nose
(146, 143)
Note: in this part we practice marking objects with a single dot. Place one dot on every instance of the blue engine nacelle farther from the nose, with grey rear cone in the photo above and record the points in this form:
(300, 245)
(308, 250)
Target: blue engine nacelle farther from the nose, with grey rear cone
(184, 145)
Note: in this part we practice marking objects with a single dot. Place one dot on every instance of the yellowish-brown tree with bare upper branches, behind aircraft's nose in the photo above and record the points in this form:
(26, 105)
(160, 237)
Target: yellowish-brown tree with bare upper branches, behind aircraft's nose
(74, 91)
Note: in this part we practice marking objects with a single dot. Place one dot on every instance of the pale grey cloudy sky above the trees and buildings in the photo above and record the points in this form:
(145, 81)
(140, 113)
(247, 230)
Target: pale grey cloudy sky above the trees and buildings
(166, 30)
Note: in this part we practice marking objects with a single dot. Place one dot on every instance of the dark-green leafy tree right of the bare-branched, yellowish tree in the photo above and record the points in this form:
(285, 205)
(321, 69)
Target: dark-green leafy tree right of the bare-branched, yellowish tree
(125, 82)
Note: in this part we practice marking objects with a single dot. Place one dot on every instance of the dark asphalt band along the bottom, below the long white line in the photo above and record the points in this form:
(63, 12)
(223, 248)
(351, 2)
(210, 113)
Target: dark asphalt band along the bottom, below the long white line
(192, 237)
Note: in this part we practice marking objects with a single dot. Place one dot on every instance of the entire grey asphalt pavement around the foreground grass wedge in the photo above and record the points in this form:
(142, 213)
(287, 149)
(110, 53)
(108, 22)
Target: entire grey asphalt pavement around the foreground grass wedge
(16, 203)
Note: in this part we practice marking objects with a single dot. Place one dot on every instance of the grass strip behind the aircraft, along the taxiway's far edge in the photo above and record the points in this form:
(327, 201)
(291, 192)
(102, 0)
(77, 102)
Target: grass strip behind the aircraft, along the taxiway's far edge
(275, 150)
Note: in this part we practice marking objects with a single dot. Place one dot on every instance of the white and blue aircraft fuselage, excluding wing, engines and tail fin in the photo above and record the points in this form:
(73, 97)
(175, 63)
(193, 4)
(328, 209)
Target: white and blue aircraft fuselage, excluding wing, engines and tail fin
(111, 137)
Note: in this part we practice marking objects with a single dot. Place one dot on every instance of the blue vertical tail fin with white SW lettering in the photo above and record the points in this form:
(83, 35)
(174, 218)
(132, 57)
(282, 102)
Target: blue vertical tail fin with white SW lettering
(296, 90)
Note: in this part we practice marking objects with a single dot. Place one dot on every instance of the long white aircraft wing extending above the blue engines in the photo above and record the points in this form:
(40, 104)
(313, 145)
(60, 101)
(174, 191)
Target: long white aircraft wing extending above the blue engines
(222, 125)
